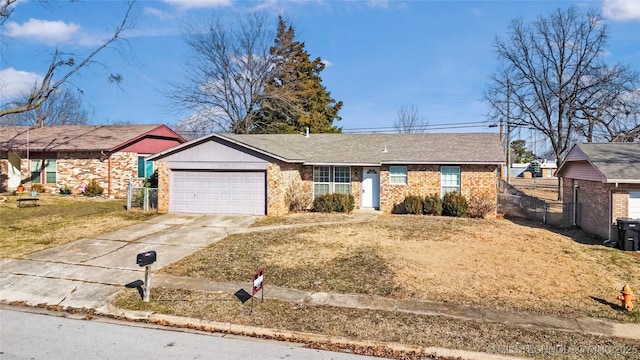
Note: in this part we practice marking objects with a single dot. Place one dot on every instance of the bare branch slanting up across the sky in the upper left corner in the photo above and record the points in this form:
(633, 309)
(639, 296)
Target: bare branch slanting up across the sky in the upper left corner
(62, 62)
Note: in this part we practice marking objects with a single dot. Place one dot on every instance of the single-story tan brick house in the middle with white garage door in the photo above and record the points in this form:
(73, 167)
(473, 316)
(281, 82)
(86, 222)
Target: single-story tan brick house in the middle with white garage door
(259, 174)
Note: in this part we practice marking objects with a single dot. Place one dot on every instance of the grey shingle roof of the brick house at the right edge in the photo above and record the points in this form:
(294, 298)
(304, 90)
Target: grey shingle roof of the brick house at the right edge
(616, 161)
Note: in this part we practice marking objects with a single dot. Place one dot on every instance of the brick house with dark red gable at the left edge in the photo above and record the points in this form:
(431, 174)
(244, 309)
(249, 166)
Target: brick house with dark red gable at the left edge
(58, 156)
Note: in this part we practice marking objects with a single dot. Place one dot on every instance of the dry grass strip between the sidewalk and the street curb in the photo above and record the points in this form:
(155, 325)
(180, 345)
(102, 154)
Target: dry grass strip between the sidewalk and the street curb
(404, 328)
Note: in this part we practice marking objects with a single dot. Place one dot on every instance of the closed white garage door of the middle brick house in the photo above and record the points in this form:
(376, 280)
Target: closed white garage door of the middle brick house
(217, 192)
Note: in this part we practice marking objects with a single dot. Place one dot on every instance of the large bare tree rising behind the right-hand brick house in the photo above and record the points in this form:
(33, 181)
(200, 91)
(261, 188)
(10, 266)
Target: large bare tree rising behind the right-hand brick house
(552, 78)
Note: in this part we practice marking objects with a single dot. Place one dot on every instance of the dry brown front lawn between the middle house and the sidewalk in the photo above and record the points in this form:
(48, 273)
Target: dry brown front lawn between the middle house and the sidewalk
(493, 263)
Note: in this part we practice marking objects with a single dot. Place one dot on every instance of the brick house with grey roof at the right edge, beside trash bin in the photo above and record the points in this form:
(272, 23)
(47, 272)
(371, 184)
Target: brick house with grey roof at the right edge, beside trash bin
(600, 184)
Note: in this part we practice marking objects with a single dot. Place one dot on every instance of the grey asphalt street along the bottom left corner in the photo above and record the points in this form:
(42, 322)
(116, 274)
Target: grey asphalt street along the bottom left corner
(25, 335)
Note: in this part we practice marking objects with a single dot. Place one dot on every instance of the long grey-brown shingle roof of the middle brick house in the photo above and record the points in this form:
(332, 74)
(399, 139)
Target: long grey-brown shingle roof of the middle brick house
(377, 148)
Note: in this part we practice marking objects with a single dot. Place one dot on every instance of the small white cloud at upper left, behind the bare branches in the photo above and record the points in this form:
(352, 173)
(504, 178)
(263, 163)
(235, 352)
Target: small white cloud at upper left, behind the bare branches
(50, 32)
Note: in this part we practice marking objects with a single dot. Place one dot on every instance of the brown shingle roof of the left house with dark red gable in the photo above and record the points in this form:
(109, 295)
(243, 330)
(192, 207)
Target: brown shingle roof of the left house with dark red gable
(70, 137)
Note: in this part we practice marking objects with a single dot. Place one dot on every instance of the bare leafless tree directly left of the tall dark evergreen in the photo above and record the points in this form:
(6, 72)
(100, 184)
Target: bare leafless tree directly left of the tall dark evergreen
(226, 74)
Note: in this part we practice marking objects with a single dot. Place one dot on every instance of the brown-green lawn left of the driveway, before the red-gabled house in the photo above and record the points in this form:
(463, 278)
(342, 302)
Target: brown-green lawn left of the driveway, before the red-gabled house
(59, 220)
